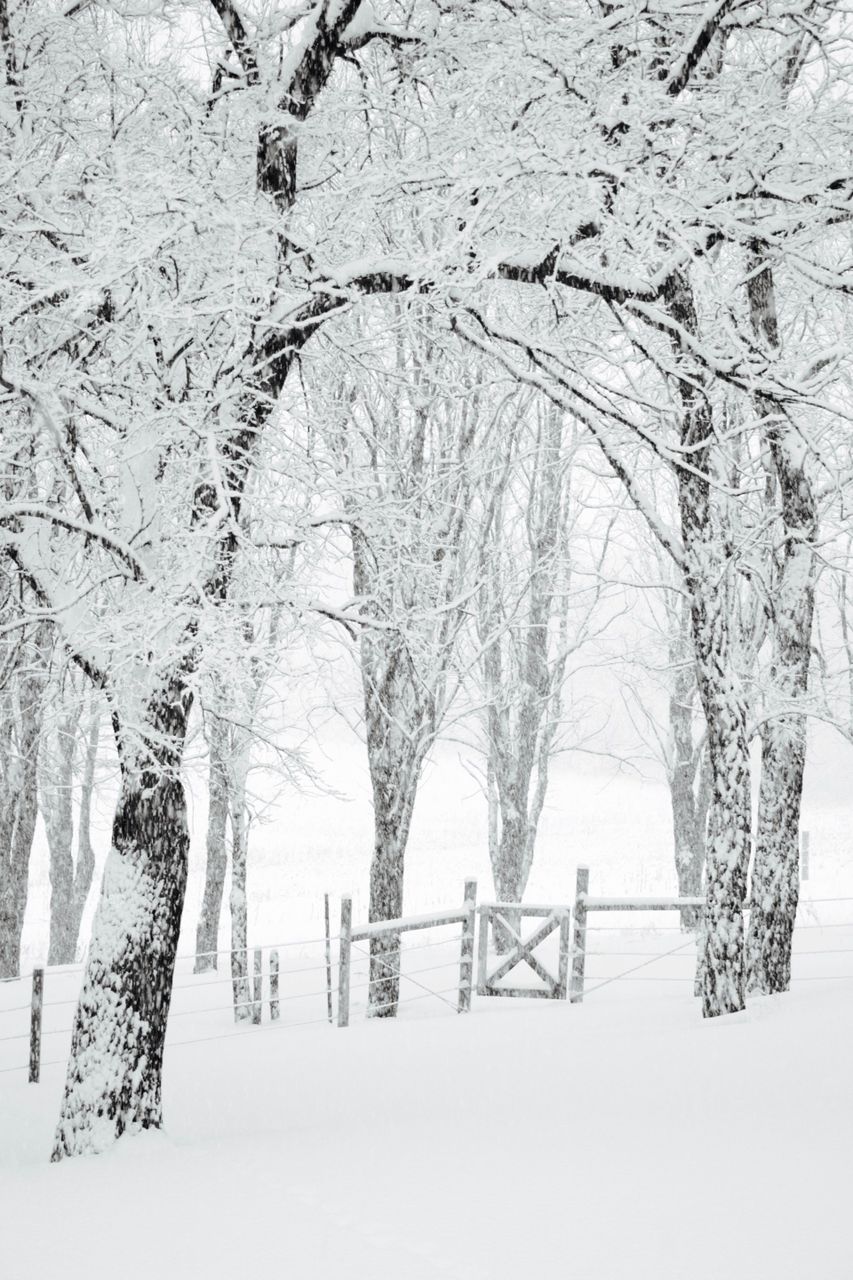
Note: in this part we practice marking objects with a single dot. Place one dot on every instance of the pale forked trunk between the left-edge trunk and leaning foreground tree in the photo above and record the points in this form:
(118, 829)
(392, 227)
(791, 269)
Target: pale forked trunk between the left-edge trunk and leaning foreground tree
(70, 881)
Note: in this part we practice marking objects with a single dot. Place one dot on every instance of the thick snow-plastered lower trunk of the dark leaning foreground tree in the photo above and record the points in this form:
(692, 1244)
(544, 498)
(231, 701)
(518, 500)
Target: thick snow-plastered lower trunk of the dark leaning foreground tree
(116, 1068)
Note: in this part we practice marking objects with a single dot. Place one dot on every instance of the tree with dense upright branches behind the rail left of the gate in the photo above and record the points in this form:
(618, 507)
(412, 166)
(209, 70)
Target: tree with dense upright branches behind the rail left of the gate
(412, 451)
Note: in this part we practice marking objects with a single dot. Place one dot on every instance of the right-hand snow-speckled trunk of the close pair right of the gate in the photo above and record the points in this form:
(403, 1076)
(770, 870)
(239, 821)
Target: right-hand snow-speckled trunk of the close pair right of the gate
(776, 876)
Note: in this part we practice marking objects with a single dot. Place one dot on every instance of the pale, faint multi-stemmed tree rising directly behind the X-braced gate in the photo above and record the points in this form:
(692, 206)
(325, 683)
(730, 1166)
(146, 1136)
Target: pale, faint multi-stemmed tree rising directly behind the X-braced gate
(537, 609)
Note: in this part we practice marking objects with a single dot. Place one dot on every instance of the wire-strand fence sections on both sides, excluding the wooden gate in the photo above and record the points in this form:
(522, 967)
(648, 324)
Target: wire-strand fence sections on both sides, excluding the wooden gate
(273, 998)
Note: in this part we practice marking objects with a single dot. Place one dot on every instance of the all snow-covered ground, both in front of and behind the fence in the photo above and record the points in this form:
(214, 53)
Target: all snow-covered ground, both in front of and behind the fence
(624, 1140)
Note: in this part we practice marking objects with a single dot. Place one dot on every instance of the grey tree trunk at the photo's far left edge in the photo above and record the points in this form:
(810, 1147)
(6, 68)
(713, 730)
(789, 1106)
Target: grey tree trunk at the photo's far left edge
(19, 802)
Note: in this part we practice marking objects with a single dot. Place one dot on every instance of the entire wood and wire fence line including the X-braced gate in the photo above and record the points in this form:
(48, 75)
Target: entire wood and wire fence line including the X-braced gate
(267, 988)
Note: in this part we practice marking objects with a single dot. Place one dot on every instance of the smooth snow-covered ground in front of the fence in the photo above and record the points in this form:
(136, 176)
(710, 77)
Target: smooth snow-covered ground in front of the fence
(618, 1141)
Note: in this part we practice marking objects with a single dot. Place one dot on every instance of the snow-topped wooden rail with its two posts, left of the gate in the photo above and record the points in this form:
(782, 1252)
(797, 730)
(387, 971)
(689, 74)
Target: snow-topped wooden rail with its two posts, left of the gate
(352, 936)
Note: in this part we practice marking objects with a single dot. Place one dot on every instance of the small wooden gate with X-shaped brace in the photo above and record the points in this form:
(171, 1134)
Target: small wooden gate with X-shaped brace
(523, 949)
